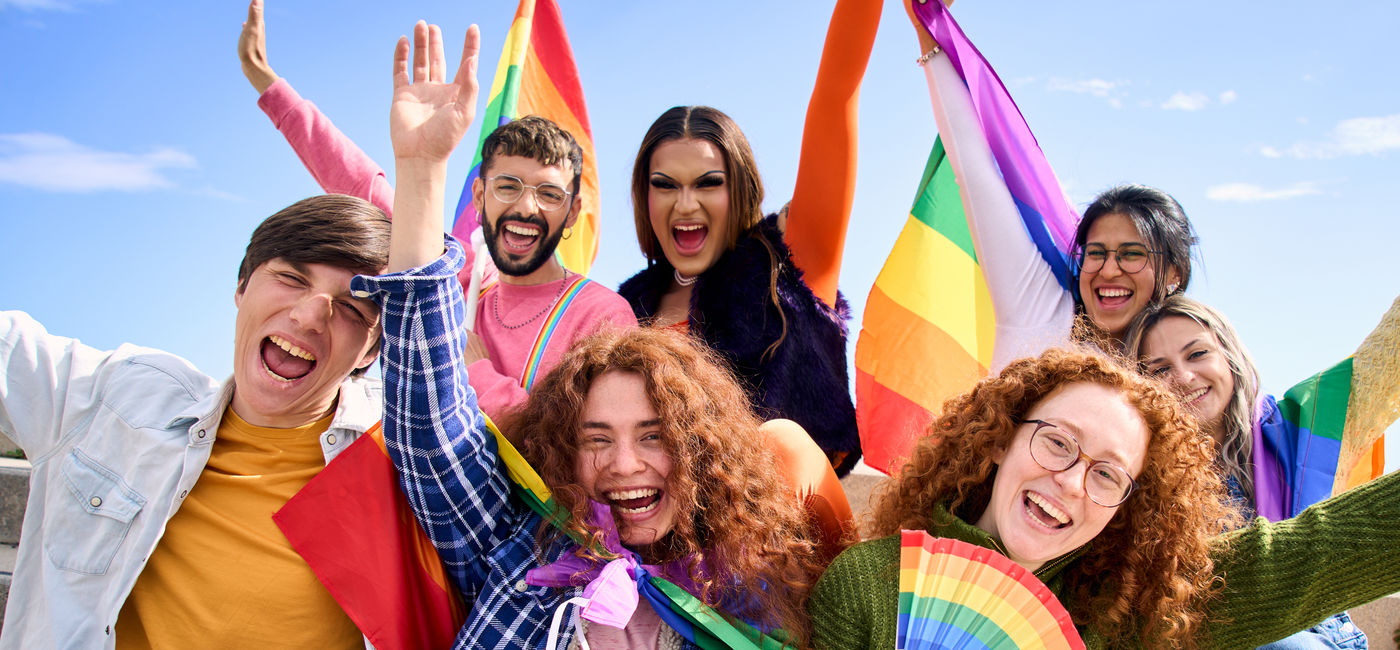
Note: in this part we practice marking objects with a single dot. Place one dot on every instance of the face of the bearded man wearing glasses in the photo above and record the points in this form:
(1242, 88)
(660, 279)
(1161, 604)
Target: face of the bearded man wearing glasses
(521, 236)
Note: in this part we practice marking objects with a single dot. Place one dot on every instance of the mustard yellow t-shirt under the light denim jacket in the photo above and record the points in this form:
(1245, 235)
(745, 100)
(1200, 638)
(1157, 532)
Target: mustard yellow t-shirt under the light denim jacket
(223, 575)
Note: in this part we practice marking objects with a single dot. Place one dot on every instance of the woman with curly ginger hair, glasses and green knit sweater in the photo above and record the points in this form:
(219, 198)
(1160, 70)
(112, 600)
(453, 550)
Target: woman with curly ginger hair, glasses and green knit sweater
(1129, 539)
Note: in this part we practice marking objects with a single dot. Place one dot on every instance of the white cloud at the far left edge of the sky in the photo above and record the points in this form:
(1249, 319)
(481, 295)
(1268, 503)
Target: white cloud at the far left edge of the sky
(57, 165)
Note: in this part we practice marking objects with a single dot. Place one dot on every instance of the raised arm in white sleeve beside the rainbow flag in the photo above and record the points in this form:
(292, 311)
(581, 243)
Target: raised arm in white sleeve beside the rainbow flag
(1032, 310)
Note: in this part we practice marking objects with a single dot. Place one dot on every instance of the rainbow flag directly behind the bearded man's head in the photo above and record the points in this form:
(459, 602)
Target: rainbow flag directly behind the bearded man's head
(537, 76)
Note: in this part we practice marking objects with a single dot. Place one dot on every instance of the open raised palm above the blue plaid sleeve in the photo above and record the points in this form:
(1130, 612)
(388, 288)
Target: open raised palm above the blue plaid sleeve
(430, 116)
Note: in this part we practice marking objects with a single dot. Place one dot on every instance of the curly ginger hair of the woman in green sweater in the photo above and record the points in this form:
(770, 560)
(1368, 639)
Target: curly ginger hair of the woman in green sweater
(1150, 572)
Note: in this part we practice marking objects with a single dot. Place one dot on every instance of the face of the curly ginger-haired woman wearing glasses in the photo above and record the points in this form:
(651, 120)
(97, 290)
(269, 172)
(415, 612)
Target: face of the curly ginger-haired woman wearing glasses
(1041, 515)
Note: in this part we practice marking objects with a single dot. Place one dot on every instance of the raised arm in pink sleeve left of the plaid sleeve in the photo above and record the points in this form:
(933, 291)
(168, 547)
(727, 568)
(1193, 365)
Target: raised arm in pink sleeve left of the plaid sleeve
(337, 163)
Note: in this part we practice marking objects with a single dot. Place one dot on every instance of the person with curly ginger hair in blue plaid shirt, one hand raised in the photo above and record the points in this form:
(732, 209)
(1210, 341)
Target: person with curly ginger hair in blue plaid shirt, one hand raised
(647, 442)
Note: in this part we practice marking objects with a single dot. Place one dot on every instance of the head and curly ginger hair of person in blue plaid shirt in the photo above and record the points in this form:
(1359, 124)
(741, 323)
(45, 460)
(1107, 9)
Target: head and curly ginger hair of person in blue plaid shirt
(653, 427)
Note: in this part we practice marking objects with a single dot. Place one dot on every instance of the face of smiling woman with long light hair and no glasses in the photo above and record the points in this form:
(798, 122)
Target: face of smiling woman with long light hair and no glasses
(1189, 355)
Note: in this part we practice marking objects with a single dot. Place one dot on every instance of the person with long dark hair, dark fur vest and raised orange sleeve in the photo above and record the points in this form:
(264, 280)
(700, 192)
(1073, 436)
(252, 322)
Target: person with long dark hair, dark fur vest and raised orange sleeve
(761, 291)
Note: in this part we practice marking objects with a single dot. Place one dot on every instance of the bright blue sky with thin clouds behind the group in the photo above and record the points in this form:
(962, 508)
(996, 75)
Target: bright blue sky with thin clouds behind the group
(135, 163)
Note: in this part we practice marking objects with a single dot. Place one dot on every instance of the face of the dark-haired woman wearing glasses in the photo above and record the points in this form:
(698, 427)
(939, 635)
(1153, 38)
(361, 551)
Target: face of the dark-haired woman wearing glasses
(1111, 296)
